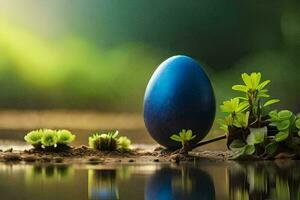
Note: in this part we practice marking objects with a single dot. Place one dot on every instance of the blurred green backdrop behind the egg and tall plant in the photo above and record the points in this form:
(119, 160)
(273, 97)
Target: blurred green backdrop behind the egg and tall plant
(99, 55)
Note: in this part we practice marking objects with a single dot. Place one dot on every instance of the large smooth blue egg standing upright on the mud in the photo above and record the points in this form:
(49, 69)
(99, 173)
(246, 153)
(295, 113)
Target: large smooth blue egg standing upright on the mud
(179, 96)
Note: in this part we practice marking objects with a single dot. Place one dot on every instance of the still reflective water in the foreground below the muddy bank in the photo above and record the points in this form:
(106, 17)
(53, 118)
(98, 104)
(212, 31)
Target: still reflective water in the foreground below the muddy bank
(199, 180)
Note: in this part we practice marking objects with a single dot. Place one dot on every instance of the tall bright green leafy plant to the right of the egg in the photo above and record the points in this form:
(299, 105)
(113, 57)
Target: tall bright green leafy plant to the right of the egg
(251, 130)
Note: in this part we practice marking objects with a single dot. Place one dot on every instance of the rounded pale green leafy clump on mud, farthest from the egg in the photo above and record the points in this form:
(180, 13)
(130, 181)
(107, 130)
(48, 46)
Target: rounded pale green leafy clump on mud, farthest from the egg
(49, 139)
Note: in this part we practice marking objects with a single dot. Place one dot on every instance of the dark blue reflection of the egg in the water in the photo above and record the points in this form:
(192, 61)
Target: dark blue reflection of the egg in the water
(180, 184)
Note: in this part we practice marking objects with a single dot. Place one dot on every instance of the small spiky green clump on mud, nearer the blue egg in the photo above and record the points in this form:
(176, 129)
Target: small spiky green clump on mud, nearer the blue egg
(109, 142)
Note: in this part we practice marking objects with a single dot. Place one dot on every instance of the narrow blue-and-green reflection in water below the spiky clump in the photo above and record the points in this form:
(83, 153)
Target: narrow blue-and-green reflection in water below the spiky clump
(102, 184)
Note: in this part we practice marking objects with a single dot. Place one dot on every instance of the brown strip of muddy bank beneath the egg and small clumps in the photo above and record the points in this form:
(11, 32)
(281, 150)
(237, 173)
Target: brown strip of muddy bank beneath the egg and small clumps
(83, 154)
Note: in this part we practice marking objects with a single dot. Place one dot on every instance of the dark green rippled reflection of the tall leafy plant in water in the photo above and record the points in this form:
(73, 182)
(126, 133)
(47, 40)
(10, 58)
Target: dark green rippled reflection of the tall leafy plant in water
(264, 181)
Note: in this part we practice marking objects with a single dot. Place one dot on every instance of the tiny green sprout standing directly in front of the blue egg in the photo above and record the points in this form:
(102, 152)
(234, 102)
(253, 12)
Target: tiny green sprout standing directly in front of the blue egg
(184, 137)
